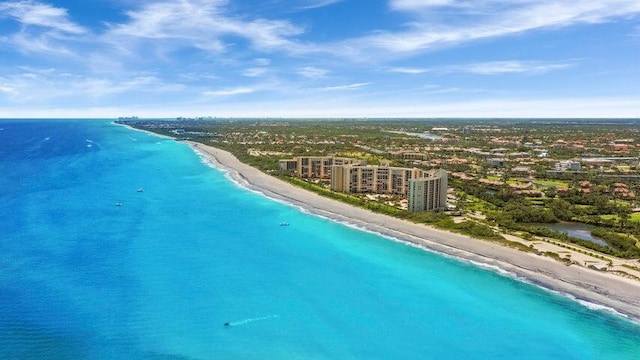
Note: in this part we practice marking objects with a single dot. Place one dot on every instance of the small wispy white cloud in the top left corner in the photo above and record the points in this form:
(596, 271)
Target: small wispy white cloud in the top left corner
(32, 13)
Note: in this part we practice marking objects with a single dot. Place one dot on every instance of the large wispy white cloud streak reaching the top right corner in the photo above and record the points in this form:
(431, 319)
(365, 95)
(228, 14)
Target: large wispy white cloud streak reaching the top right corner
(483, 19)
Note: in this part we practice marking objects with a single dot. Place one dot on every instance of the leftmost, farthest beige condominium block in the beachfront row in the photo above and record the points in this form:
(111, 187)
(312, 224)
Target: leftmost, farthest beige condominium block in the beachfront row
(316, 167)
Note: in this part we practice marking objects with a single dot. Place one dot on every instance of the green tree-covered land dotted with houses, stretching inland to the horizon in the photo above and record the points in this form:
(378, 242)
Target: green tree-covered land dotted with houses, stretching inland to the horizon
(523, 191)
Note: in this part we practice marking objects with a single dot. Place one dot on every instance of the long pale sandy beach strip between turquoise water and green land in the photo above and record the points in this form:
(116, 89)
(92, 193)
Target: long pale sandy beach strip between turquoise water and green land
(598, 288)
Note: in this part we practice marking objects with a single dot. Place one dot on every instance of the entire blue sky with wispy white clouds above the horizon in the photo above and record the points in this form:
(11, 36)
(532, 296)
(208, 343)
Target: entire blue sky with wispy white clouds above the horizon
(320, 58)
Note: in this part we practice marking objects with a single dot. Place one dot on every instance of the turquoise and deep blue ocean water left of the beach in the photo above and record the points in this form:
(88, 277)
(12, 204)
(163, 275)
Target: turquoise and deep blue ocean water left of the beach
(156, 278)
